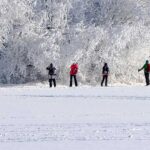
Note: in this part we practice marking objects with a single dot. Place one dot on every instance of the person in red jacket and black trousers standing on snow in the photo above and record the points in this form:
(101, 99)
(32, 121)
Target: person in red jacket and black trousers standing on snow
(73, 73)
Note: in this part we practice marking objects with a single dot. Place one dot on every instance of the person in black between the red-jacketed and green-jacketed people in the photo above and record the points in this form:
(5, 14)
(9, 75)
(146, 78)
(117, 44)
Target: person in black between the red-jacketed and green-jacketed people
(105, 72)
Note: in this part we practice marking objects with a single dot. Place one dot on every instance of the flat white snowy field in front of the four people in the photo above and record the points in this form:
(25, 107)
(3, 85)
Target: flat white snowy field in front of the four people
(85, 118)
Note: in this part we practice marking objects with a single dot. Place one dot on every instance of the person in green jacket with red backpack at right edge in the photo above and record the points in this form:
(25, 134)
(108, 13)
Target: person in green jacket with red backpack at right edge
(146, 69)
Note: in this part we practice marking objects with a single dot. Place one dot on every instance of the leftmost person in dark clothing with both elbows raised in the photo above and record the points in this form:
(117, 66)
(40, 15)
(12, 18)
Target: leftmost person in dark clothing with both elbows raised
(51, 72)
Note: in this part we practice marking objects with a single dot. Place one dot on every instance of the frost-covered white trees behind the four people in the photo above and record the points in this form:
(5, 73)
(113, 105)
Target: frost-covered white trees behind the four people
(34, 33)
